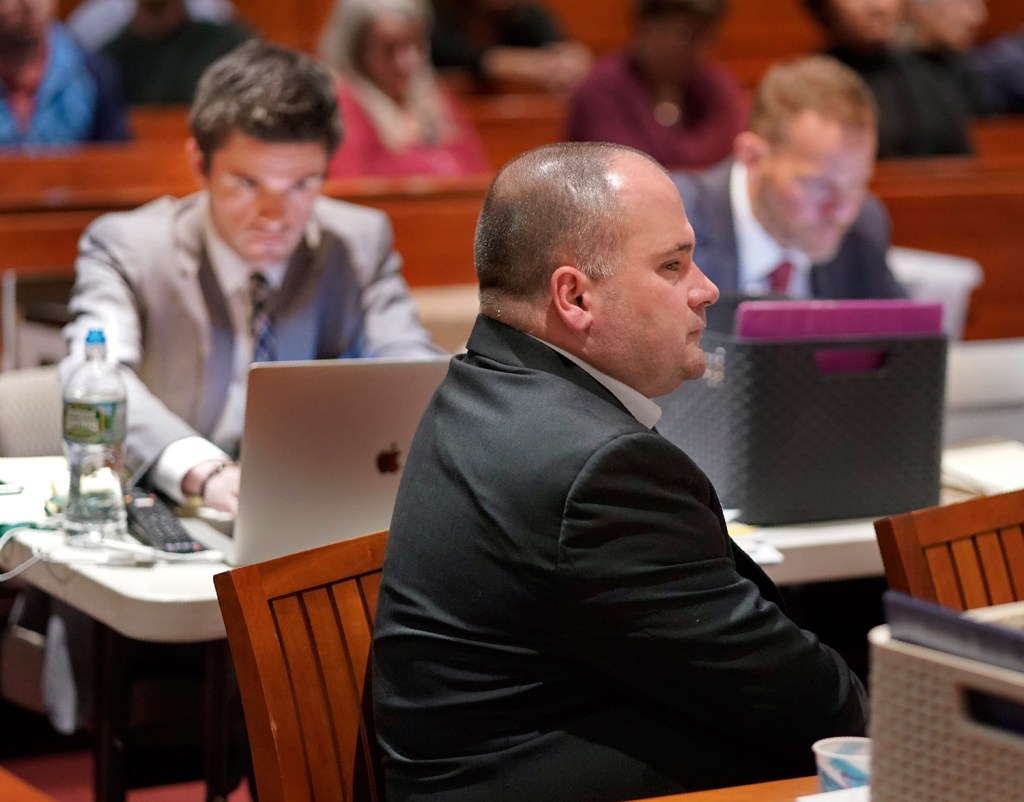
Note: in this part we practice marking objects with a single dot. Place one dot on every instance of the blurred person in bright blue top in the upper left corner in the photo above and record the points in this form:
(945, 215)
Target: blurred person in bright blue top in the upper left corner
(52, 92)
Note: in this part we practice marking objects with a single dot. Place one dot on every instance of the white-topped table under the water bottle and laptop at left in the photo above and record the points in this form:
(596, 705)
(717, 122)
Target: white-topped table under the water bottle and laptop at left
(165, 603)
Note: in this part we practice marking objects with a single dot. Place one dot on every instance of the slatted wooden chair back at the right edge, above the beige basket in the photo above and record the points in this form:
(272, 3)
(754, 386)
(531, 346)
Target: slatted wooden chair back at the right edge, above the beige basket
(963, 556)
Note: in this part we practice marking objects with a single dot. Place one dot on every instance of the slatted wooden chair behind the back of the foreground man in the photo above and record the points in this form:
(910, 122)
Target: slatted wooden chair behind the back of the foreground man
(300, 629)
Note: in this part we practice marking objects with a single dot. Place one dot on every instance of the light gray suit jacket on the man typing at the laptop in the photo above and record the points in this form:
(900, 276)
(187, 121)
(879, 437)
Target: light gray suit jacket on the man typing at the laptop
(145, 278)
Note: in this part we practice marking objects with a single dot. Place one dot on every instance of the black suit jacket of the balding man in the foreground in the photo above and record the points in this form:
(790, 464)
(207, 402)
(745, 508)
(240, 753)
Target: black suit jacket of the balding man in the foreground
(563, 615)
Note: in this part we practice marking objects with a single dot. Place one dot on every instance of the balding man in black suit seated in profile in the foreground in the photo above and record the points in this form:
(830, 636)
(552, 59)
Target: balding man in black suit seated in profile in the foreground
(563, 614)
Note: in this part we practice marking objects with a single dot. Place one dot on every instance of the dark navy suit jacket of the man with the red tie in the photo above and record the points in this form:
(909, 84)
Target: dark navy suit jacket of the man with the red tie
(858, 271)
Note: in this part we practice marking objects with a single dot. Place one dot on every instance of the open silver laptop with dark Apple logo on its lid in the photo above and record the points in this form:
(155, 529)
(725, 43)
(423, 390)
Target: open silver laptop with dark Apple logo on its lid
(322, 455)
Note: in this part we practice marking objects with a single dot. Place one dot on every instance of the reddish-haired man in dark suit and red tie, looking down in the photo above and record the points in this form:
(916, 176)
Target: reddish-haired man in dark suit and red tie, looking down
(795, 192)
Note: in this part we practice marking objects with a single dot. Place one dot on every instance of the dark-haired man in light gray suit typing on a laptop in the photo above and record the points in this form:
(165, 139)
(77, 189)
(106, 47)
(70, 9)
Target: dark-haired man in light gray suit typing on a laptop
(257, 267)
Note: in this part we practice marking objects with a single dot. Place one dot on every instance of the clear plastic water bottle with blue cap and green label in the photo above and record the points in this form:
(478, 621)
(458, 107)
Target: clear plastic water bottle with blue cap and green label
(95, 408)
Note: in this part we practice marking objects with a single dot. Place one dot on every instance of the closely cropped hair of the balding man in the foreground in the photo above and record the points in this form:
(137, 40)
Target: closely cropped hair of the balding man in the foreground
(553, 205)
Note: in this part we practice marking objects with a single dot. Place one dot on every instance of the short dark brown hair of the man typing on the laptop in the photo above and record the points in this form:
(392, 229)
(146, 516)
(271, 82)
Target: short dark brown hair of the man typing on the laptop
(268, 93)
